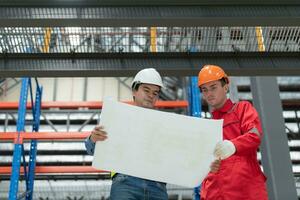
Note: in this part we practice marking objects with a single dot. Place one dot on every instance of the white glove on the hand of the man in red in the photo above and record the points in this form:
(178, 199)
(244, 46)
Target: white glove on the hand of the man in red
(224, 149)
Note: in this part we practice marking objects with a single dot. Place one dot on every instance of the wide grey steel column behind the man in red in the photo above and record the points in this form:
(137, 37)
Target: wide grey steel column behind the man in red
(274, 148)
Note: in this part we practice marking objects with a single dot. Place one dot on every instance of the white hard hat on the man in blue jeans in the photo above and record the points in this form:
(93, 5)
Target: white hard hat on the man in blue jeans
(149, 76)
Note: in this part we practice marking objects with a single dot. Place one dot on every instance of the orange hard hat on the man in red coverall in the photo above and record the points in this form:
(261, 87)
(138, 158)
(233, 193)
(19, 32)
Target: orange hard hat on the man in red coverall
(210, 73)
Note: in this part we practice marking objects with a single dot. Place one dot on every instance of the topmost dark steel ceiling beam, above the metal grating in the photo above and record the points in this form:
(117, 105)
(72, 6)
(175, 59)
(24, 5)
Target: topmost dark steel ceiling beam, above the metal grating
(144, 16)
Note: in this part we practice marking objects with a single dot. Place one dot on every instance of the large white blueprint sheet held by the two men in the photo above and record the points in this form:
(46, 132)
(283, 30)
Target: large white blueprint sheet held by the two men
(156, 145)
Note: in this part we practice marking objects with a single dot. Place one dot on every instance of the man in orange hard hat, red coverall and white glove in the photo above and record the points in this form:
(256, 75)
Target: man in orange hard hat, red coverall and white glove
(239, 176)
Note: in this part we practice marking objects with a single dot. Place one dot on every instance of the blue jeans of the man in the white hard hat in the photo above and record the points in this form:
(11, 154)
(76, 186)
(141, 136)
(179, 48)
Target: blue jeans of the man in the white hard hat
(125, 187)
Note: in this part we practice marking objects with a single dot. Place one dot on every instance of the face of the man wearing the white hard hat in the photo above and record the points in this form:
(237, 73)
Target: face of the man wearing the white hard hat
(146, 95)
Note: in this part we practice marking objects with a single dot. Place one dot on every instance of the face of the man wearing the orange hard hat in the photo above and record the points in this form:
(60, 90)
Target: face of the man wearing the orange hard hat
(214, 93)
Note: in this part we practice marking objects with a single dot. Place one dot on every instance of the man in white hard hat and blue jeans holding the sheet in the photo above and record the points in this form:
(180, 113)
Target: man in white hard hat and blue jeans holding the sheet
(146, 86)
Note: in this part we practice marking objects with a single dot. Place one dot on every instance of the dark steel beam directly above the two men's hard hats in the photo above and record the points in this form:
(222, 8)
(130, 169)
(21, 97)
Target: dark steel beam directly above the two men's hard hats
(127, 64)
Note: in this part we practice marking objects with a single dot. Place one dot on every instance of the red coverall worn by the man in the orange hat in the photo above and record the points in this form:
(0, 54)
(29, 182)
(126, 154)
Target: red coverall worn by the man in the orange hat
(239, 176)
